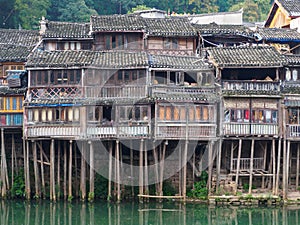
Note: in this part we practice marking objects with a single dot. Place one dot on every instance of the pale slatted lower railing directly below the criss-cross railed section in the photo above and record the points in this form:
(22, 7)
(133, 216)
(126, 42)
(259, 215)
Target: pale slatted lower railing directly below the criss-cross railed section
(53, 131)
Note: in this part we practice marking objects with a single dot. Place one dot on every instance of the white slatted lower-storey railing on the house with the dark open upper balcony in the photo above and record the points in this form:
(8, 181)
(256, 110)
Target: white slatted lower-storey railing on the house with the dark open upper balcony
(237, 129)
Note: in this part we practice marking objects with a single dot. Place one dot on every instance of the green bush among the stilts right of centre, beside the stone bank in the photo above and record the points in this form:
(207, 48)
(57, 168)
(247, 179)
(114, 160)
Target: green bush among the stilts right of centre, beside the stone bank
(200, 187)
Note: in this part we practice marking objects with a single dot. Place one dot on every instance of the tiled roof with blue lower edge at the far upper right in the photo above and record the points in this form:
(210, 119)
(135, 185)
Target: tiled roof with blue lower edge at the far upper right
(279, 34)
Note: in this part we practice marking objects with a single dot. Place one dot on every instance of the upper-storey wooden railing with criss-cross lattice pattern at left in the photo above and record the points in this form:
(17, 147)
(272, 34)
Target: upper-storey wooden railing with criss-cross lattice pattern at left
(56, 92)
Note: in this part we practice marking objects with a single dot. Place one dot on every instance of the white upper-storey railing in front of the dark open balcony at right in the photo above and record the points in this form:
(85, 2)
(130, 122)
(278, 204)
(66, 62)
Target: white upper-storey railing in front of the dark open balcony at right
(261, 85)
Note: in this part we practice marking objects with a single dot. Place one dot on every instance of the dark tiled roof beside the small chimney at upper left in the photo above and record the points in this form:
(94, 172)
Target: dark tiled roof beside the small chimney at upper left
(67, 30)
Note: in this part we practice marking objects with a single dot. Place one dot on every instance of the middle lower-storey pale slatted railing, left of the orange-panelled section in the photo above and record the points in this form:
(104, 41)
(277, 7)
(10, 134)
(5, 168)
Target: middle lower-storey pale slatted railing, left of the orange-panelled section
(122, 132)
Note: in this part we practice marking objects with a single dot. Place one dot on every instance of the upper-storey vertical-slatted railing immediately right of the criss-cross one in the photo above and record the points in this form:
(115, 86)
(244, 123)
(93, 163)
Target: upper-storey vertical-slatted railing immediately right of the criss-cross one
(125, 91)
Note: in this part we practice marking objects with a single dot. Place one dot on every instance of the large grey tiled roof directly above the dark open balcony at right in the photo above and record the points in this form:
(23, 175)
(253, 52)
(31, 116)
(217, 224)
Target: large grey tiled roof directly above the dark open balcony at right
(245, 56)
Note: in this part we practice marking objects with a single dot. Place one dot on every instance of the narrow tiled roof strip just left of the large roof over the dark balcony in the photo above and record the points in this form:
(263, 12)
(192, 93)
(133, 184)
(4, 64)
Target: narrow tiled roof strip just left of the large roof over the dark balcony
(177, 62)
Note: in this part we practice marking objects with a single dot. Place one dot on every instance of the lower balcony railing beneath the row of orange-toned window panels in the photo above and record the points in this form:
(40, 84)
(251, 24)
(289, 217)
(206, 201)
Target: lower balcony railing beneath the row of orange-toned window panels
(182, 131)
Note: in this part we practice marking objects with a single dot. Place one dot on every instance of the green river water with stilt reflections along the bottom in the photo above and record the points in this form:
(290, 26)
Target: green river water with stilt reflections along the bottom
(45, 213)
